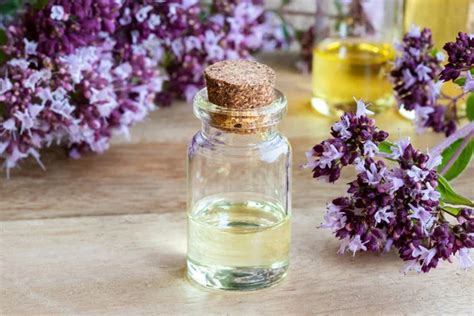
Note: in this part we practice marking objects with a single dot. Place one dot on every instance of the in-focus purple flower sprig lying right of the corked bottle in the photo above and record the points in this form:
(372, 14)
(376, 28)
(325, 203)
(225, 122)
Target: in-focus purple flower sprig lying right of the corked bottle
(395, 205)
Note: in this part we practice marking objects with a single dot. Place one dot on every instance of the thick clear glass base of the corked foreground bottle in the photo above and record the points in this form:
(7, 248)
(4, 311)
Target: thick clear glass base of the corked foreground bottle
(236, 278)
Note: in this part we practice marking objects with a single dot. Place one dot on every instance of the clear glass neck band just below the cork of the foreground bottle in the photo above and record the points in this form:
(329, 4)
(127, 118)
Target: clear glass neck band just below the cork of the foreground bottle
(243, 138)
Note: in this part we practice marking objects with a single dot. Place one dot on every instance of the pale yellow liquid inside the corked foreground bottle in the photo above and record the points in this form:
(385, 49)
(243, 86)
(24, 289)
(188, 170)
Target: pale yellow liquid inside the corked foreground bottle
(237, 244)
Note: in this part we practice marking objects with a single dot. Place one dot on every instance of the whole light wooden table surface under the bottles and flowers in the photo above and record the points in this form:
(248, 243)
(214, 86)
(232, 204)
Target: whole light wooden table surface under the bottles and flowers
(106, 234)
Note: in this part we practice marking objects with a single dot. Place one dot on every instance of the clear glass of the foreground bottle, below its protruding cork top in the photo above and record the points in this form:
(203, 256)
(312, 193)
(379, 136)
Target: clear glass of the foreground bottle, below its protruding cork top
(239, 196)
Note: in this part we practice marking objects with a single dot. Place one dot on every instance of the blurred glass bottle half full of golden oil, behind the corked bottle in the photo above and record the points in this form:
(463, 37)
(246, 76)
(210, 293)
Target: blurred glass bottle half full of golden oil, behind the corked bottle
(352, 53)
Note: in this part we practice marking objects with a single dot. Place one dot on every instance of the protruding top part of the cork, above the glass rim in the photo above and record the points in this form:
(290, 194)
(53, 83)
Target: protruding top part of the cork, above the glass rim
(240, 84)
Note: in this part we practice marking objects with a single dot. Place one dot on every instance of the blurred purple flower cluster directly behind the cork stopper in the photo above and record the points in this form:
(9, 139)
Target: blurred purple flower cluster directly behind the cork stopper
(232, 30)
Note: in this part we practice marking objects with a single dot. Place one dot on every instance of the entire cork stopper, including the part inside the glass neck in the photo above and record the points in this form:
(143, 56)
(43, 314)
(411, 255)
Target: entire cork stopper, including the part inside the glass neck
(239, 85)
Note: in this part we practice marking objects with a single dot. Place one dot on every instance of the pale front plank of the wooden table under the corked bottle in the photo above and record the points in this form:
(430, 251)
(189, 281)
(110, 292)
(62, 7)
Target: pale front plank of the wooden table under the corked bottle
(134, 264)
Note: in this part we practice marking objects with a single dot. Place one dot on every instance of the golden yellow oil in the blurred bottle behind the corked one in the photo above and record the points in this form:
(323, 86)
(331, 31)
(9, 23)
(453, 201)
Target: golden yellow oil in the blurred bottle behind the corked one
(343, 70)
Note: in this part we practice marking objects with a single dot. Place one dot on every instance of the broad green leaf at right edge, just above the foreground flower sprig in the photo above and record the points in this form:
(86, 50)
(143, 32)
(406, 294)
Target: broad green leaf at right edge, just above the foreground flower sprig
(461, 162)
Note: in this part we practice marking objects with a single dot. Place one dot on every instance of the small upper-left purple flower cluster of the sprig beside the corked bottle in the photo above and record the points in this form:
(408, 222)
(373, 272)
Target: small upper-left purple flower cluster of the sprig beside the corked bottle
(353, 136)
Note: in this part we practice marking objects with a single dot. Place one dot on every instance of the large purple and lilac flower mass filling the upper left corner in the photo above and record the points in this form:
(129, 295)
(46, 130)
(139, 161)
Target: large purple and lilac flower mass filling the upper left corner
(62, 86)
